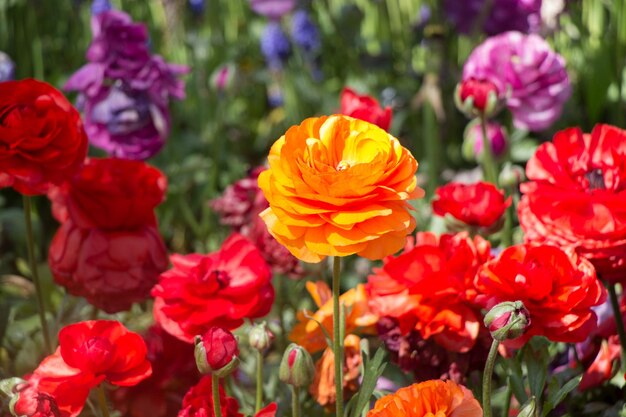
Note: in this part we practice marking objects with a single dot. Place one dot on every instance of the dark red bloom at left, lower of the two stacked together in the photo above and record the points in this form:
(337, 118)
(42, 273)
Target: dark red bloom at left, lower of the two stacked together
(111, 269)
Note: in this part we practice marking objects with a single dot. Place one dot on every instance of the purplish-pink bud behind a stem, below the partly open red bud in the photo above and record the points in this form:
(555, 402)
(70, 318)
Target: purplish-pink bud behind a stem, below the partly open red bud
(473, 140)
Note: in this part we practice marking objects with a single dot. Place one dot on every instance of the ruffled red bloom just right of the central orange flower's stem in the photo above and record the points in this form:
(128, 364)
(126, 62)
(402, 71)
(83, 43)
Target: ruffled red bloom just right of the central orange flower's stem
(429, 288)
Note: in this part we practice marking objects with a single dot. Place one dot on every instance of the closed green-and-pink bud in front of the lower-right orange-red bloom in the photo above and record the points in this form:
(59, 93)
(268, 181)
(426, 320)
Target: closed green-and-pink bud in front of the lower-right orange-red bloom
(507, 320)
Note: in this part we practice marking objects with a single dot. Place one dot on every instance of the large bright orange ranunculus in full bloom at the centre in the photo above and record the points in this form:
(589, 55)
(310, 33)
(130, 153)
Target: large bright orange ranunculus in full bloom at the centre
(339, 186)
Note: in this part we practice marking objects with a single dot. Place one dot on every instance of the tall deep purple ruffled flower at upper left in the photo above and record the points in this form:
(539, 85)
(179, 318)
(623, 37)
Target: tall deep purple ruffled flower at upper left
(124, 90)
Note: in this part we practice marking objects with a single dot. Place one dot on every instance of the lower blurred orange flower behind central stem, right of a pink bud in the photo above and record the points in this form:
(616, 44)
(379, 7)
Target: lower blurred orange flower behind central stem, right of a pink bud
(323, 386)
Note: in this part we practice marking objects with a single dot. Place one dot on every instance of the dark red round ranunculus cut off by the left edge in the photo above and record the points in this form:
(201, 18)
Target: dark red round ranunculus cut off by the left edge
(42, 140)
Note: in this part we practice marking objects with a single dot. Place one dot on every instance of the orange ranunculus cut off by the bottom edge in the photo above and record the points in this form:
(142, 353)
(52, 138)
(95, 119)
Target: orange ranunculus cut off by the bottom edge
(429, 398)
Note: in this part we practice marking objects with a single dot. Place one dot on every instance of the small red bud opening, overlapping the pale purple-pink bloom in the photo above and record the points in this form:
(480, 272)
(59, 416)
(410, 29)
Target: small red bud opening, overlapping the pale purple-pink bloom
(477, 98)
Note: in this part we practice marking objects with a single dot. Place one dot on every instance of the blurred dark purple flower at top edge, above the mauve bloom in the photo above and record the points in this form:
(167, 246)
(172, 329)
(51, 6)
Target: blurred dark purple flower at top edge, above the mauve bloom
(503, 15)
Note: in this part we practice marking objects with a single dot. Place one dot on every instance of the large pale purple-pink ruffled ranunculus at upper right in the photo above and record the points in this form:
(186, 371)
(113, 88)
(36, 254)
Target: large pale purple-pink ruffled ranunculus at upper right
(528, 72)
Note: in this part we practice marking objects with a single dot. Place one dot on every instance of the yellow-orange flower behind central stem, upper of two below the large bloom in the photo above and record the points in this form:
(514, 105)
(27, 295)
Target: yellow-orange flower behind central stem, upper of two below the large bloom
(308, 334)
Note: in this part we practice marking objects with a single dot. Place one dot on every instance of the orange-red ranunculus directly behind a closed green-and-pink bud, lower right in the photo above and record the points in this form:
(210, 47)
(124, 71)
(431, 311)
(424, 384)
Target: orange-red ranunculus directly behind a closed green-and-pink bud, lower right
(557, 288)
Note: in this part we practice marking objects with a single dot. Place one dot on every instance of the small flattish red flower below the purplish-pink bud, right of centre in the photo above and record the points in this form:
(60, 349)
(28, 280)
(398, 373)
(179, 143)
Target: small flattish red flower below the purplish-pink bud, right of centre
(478, 205)
